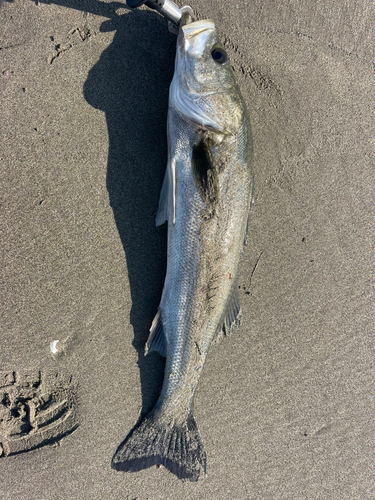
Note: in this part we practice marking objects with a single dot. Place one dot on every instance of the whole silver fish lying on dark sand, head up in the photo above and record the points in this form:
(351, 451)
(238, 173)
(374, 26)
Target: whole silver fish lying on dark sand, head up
(206, 197)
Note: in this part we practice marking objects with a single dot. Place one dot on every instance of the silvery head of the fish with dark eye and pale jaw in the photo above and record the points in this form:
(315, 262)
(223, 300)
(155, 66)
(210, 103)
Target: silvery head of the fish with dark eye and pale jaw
(203, 88)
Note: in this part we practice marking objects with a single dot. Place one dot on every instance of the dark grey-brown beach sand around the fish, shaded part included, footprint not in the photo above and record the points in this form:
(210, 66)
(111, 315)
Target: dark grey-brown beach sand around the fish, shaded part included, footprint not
(286, 405)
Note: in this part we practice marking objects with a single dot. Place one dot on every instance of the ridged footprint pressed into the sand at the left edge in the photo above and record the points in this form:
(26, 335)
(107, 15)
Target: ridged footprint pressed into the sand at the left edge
(36, 409)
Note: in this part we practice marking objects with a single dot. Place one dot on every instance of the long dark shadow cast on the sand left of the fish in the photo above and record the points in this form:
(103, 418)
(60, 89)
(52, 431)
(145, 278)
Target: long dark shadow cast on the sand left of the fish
(130, 83)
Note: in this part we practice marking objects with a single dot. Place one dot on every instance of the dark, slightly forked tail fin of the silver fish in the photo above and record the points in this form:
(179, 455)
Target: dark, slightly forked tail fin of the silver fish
(178, 447)
